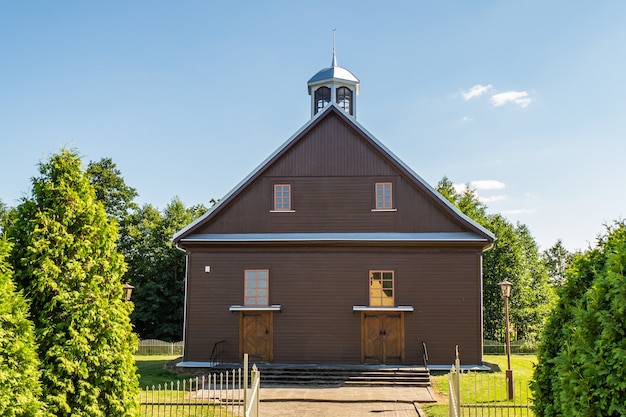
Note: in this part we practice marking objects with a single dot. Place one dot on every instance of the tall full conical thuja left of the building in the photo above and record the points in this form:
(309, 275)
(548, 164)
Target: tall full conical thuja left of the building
(66, 261)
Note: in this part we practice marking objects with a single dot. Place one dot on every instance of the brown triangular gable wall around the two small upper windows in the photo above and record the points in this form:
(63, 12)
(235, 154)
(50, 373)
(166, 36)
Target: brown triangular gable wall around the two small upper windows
(331, 192)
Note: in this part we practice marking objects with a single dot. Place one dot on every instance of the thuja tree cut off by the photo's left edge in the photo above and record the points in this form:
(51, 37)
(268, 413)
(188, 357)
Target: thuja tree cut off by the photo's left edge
(19, 364)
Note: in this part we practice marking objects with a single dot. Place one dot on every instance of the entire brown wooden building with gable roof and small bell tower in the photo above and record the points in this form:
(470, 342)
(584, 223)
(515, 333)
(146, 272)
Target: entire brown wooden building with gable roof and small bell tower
(333, 251)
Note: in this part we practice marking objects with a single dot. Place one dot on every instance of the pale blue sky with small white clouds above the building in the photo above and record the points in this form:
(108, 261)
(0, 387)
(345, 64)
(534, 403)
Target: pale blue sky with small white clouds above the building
(525, 101)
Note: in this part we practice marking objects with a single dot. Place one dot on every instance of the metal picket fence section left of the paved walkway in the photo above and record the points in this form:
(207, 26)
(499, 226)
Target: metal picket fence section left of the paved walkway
(225, 394)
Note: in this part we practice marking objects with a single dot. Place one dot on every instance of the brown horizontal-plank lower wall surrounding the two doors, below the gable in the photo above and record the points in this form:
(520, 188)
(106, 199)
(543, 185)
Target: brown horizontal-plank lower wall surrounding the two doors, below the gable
(317, 288)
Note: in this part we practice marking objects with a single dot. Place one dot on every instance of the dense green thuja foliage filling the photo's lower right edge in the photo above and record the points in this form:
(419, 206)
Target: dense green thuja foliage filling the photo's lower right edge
(582, 357)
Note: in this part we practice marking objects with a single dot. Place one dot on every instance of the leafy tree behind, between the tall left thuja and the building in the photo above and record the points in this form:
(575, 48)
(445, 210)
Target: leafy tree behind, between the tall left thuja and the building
(157, 268)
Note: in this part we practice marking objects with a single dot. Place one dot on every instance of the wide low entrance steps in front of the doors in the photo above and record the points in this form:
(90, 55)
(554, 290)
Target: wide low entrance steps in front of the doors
(344, 375)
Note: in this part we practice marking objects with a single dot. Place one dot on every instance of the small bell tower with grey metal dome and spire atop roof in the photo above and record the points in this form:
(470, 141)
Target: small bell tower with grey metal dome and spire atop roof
(333, 84)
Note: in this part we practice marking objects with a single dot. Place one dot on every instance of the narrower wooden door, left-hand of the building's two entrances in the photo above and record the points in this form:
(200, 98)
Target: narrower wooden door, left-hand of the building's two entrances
(256, 335)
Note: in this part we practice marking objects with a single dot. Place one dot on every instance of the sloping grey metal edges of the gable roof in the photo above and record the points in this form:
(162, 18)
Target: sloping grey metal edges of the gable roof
(332, 108)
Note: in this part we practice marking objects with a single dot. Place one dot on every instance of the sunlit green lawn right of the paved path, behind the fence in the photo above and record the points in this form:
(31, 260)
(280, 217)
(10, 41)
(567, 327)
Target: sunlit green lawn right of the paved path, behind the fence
(482, 389)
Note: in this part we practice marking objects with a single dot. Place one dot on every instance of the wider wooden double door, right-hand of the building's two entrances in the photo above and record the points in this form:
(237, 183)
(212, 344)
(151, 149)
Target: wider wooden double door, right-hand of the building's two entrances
(382, 337)
